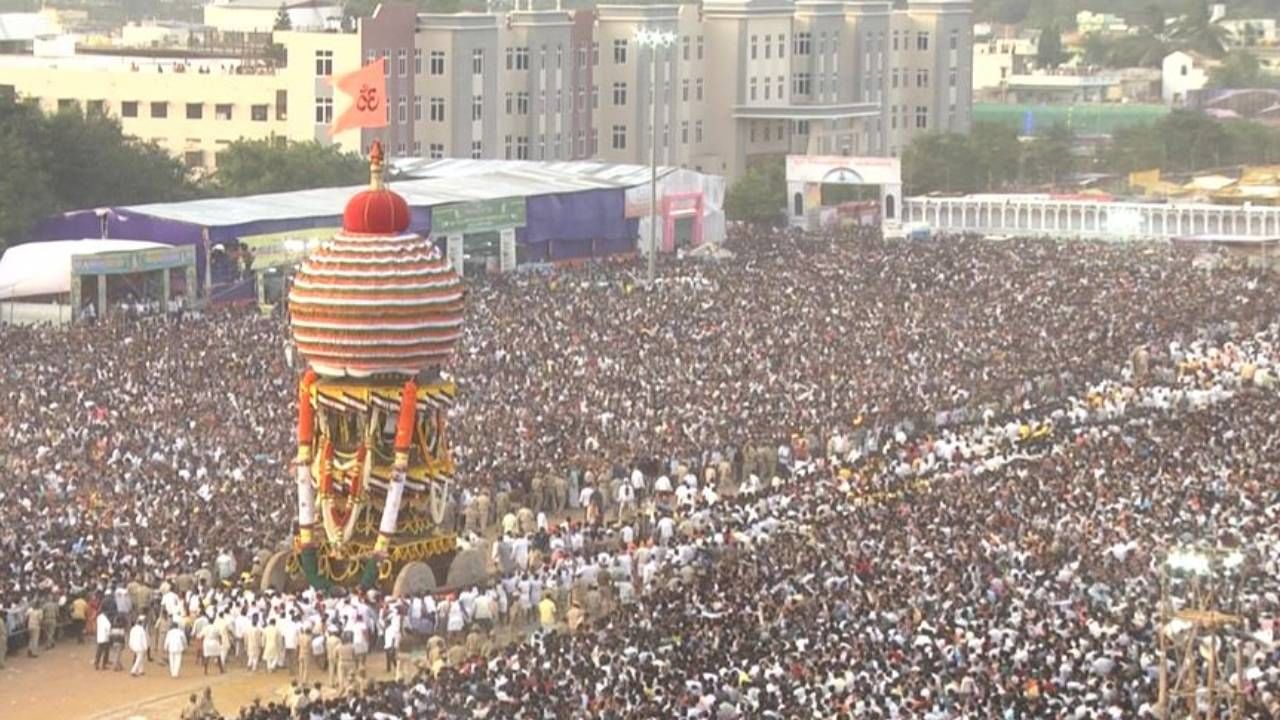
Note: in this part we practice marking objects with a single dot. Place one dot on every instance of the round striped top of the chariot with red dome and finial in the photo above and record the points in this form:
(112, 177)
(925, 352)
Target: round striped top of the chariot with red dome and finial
(376, 300)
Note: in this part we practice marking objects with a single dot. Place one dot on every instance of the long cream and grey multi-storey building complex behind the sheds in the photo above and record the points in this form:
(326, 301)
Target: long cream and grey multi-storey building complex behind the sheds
(743, 83)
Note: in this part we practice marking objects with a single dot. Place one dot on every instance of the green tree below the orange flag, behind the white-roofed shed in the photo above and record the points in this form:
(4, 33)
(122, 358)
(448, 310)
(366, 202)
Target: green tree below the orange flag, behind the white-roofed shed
(252, 167)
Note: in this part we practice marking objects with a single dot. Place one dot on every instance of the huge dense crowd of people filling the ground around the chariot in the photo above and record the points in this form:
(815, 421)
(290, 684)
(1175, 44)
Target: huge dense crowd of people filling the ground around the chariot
(831, 477)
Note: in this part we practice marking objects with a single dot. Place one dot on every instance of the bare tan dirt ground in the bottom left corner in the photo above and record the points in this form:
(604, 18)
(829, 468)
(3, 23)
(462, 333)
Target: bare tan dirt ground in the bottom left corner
(62, 685)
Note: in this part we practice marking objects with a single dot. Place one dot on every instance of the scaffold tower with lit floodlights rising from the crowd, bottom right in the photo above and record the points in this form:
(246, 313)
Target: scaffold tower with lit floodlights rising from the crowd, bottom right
(1200, 634)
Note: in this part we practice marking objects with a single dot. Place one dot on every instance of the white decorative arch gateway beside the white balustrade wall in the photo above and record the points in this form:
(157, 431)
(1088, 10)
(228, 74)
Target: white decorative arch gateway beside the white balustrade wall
(808, 174)
